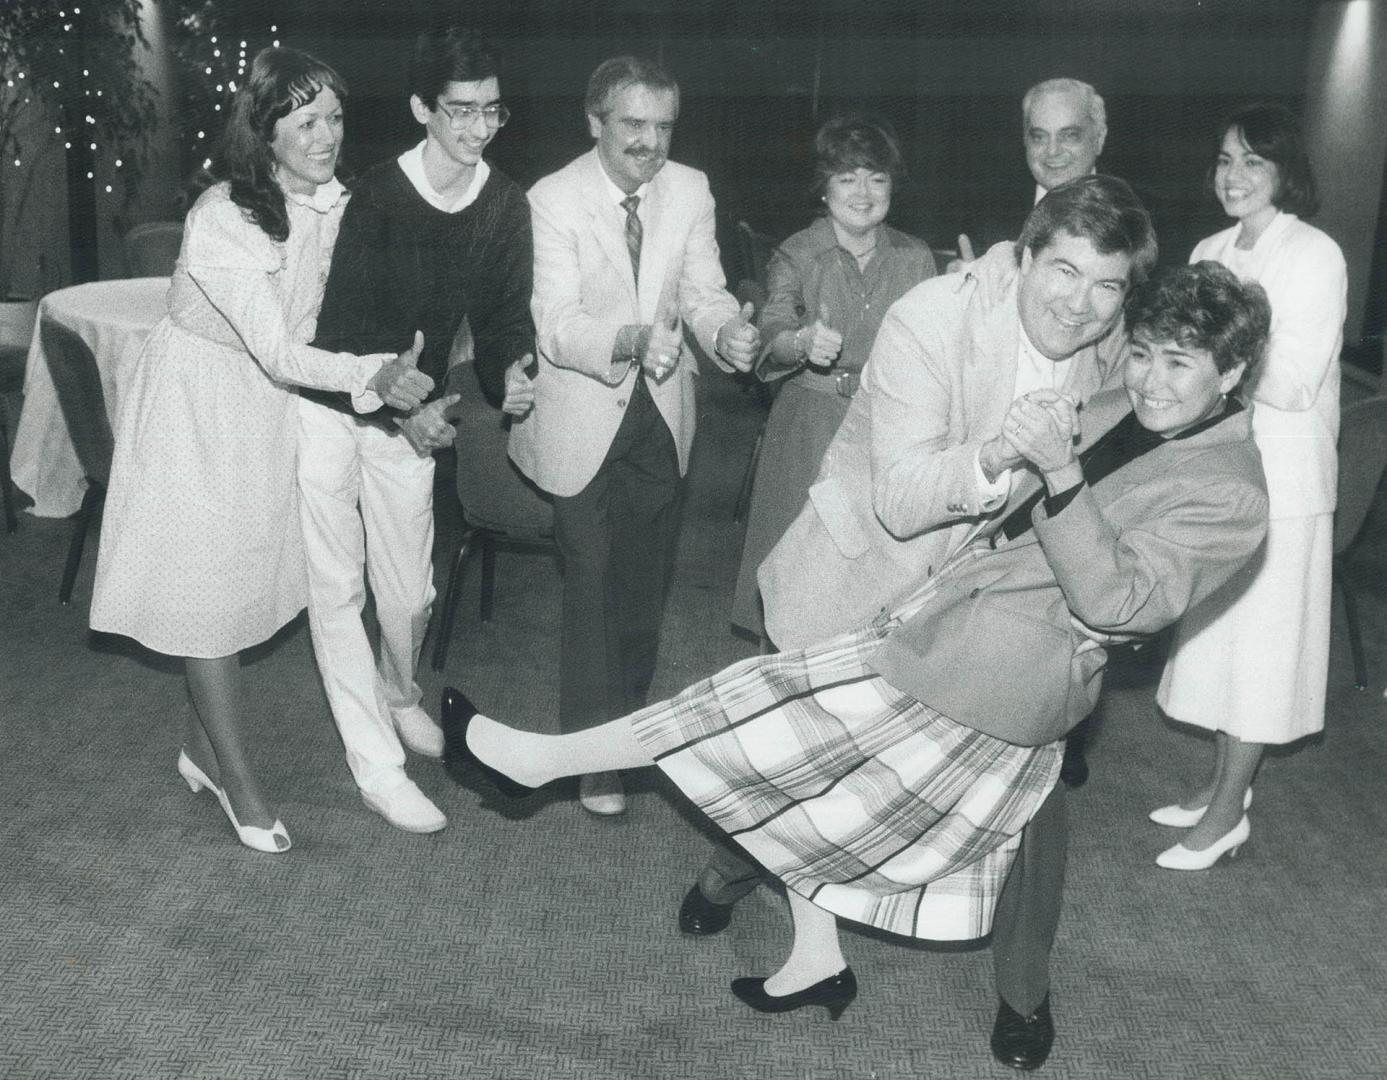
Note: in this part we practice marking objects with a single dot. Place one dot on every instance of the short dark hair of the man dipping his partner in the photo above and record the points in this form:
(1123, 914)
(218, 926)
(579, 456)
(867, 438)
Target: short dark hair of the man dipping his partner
(1102, 210)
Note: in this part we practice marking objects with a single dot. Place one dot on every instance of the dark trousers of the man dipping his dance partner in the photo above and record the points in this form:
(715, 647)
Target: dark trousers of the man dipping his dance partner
(1028, 910)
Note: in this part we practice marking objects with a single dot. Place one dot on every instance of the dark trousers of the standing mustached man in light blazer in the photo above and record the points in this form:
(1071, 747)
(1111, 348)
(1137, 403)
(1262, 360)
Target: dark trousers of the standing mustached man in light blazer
(618, 543)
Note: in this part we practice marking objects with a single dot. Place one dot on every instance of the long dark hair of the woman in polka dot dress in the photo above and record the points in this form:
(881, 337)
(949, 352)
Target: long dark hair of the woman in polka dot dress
(281, 81)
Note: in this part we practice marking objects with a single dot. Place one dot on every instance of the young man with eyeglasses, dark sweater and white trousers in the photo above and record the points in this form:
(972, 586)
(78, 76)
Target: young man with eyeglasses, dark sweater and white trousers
(429, 239)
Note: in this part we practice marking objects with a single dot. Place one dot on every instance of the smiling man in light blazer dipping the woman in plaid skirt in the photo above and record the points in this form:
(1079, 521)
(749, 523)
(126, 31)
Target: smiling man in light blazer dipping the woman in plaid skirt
(920, 467)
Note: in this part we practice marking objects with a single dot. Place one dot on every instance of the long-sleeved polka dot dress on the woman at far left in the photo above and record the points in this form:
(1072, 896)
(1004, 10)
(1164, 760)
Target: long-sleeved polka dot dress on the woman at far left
(200, 540)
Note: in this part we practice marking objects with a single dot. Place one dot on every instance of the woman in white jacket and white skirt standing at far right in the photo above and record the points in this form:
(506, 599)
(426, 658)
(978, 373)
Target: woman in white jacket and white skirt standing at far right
(1252, 663)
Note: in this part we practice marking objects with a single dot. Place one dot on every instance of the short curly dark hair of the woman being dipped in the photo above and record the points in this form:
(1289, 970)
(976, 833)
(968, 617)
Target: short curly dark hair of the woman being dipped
(1206, 307)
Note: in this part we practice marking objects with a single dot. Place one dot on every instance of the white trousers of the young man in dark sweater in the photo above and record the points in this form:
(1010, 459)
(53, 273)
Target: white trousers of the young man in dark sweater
(367, 512)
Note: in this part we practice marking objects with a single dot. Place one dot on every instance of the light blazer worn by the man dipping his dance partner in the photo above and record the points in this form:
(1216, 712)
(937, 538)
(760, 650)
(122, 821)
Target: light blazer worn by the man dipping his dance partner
(898, 491)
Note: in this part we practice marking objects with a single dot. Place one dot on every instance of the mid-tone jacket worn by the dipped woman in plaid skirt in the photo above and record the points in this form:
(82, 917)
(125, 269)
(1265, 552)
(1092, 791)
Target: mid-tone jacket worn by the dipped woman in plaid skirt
(990, 641)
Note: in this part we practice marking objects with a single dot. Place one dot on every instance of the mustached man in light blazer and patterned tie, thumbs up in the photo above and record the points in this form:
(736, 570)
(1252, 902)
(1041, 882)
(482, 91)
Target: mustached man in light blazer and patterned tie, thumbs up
(626, 272)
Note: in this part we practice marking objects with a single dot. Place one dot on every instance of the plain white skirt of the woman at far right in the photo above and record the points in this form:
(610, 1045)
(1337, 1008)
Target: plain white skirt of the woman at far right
(1253, 659)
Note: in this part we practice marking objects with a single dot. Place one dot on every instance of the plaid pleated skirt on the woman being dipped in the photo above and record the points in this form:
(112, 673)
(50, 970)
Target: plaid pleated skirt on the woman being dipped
(859, 798)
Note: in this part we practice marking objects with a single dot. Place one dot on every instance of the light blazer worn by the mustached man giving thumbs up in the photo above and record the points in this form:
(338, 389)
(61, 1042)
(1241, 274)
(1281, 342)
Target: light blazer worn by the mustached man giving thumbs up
(586, 292)
